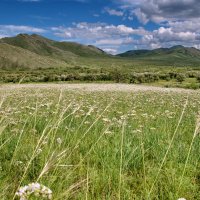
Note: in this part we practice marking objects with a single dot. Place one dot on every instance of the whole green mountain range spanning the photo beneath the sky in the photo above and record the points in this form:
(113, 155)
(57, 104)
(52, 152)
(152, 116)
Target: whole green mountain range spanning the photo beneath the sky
(35, 51)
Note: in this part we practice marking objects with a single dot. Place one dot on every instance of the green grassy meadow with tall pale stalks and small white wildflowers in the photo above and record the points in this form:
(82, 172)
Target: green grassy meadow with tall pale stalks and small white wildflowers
(100, 145)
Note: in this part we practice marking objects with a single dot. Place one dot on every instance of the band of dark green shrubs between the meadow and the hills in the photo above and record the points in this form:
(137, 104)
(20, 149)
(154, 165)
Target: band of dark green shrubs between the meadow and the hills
(158, 78)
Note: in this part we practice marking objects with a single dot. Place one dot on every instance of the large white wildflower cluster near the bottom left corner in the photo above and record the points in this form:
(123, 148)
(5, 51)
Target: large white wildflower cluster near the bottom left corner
(35, 189)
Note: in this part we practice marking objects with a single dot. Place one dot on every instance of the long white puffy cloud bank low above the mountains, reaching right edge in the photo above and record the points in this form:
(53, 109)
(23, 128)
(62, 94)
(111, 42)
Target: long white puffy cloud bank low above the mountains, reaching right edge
(108, 36)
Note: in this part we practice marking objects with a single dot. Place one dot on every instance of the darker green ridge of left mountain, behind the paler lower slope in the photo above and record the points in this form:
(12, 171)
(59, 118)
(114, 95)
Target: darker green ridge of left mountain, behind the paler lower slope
(46, 47)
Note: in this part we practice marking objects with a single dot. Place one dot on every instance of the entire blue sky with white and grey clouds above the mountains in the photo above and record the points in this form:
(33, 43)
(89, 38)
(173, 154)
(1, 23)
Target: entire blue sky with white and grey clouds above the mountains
(113, 25)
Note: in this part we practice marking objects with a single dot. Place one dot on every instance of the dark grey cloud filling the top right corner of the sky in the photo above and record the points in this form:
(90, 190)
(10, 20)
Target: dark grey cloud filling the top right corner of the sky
(163, 10)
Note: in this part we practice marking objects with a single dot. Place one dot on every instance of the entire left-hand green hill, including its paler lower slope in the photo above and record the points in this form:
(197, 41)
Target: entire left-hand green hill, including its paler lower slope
(35, 51)
